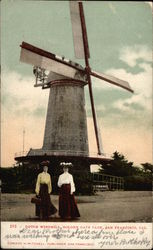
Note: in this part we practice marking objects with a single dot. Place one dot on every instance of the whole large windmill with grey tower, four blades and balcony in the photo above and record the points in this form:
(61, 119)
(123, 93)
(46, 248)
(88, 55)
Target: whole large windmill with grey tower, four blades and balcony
(65, 136)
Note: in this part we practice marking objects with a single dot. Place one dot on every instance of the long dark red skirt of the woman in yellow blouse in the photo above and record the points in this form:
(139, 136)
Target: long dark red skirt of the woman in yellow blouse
(46, 208)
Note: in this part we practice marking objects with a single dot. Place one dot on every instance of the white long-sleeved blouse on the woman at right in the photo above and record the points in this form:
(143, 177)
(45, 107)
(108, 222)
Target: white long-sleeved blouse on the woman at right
(66, 178)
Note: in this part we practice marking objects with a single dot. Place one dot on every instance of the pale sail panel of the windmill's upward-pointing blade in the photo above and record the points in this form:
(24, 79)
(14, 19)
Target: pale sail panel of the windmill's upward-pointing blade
(77, 30)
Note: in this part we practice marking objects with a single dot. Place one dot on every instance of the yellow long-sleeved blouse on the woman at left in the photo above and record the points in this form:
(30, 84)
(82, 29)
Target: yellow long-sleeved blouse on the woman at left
(43, 178)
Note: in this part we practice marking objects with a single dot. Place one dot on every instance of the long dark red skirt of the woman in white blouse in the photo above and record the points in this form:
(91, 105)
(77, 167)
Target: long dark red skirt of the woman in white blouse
(67, 203)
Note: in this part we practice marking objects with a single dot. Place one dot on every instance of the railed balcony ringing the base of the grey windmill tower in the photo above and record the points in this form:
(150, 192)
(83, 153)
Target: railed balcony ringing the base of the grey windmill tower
(41, 152)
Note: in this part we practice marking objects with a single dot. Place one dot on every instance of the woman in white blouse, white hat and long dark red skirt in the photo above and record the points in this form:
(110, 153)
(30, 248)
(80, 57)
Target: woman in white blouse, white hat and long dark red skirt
(67, 204)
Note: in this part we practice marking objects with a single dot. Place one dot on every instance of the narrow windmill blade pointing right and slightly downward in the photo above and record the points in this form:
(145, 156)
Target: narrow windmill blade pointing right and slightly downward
(112, 80)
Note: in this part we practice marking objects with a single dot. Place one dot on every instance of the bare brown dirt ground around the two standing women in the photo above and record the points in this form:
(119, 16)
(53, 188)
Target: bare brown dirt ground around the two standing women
(117, 206)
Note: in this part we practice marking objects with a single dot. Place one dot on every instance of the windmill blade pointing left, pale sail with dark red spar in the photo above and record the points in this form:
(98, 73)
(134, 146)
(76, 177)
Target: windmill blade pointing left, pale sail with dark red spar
(46, 60)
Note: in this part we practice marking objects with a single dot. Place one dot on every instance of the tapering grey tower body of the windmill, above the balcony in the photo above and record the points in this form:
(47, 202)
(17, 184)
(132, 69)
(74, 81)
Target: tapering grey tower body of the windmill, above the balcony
(66, 125)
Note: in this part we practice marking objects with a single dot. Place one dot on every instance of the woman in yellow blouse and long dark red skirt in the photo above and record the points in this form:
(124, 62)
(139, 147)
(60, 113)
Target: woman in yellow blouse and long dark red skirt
(43, 189)
